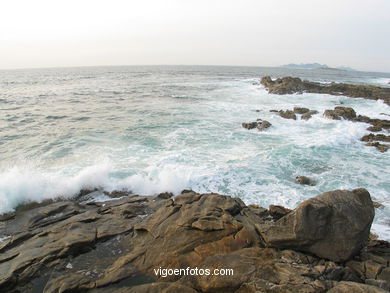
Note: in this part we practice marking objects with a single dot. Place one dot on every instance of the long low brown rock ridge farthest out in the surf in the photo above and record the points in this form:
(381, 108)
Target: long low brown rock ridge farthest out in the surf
(292, 85)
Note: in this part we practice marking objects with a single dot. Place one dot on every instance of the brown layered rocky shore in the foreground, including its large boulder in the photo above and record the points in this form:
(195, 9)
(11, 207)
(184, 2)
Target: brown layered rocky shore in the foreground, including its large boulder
(321, 246)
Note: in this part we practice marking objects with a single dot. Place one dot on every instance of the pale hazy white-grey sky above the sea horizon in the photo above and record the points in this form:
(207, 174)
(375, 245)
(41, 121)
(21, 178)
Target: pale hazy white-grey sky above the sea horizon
(53, 33)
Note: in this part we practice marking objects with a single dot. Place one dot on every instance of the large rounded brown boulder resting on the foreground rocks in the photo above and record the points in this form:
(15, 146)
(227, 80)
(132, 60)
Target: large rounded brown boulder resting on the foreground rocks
(334, 225)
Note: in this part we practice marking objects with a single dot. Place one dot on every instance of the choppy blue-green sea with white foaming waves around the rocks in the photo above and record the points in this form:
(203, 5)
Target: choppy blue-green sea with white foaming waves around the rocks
(166, 128)
